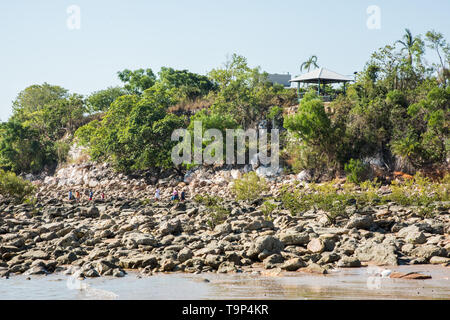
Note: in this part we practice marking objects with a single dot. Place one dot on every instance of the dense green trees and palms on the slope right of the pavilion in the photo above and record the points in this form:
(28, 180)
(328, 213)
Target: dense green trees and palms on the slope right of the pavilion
(397, 111)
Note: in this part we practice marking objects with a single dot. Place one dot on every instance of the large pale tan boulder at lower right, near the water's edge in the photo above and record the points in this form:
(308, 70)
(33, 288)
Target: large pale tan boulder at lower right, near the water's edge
(381, 254)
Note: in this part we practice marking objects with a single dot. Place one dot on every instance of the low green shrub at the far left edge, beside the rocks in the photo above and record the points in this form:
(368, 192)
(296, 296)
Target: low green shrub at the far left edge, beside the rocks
(12, 186)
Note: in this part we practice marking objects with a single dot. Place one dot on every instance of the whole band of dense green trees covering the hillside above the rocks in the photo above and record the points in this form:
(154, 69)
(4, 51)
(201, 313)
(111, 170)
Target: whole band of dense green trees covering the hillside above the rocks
(397, 111)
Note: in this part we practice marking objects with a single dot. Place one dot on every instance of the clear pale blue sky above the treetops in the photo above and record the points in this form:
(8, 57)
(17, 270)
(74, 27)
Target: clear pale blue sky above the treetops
(37, 46)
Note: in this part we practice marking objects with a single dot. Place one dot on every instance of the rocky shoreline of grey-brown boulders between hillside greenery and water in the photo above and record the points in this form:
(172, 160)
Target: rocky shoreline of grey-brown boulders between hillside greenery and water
(129, 230)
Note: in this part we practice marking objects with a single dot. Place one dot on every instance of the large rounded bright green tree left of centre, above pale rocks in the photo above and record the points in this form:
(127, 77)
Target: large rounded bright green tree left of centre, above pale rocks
(135, 133)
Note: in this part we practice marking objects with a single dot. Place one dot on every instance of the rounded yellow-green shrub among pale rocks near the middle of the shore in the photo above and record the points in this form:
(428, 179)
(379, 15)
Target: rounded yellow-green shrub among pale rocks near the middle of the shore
(249, 187)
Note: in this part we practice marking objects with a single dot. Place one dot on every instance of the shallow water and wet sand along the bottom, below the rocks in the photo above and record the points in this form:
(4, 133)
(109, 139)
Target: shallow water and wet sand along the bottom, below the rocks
(358, 283)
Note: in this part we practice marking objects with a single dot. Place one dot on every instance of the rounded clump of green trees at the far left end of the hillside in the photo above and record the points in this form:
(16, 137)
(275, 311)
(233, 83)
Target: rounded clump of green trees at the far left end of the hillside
(39, 131)
